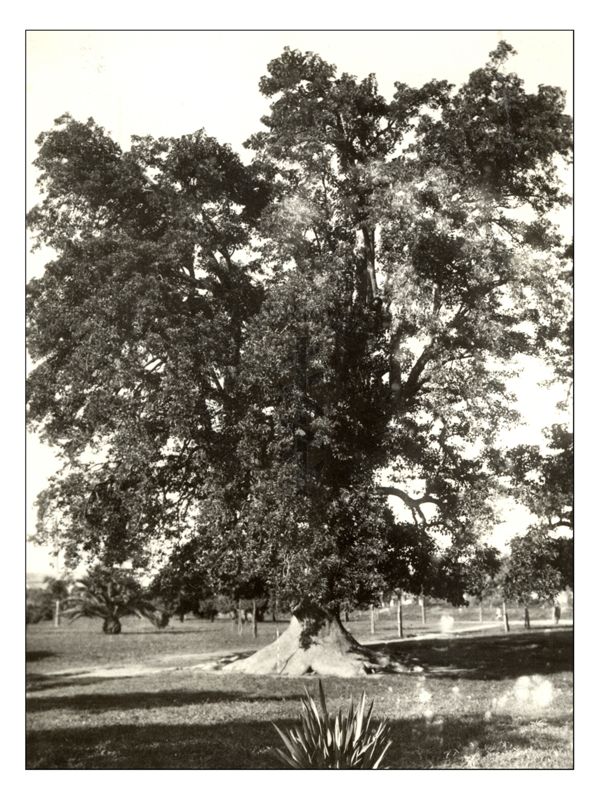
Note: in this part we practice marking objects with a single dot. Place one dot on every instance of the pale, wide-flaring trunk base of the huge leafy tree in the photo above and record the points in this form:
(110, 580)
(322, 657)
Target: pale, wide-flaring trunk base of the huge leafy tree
(315, 642)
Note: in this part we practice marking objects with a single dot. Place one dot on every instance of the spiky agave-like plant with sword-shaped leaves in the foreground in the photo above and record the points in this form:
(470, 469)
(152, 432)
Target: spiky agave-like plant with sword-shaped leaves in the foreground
(347, 740)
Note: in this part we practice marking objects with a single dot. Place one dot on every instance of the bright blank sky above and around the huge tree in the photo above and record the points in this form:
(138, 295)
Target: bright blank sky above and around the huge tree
(168, 83)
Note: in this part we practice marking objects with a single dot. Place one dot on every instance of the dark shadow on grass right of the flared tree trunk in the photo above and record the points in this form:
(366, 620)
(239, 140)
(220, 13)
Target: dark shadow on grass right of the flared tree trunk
(489, 657)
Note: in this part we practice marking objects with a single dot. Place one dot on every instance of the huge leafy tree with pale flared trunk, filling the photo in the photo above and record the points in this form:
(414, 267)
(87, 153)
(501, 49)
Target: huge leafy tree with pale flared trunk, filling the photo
(255, 358)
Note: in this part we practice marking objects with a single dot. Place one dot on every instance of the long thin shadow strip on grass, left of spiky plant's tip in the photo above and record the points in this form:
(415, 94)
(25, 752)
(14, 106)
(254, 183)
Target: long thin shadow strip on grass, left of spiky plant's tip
(99, 703)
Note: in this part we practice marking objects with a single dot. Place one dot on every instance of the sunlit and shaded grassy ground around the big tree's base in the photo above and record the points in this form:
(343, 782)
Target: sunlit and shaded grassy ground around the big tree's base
(483, 700)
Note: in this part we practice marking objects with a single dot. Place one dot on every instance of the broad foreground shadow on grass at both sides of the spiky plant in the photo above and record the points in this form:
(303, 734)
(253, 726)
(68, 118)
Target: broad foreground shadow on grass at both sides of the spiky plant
(417, 744)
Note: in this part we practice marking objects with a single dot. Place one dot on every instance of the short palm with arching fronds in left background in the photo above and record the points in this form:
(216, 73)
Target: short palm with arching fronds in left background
(111, 595)
